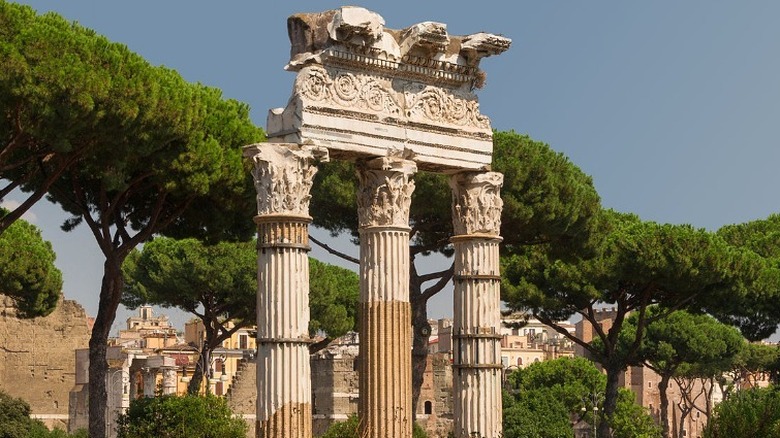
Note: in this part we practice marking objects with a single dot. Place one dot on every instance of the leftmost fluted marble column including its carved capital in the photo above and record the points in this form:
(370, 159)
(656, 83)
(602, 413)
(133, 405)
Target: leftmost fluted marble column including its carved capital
(283, 176)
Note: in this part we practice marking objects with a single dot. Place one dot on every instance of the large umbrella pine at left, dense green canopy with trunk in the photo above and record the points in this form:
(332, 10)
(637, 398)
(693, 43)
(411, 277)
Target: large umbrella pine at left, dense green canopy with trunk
(130, 149)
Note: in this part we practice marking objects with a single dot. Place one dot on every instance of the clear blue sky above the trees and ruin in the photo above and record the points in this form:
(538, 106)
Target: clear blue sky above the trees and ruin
(672, 107)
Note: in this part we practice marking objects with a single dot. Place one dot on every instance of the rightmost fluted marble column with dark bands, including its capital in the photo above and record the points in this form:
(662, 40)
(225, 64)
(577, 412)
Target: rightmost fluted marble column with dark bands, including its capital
(476, 216)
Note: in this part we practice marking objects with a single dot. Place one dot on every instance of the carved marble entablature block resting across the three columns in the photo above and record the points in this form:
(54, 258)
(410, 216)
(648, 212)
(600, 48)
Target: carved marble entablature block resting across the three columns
(366, 90)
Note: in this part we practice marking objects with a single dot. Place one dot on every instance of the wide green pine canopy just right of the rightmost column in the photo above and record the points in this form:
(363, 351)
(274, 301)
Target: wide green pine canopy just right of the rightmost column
(636, 264)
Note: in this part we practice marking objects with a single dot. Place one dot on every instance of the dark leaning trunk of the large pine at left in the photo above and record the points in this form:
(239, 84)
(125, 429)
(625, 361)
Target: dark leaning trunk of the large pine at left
(110, 294)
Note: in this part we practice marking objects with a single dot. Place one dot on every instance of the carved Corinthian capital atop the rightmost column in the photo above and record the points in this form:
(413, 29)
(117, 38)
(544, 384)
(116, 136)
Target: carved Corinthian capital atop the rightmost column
(476, 202)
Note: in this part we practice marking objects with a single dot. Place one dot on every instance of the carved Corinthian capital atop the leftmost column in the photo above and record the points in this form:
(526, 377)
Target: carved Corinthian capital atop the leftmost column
(283, 175)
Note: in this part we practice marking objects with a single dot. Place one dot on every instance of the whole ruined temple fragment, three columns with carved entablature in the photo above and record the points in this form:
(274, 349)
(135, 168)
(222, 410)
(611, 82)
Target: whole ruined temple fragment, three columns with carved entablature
(394, 102)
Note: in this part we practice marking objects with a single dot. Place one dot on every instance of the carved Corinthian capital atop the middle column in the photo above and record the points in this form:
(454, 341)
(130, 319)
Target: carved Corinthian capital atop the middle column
(385, 193)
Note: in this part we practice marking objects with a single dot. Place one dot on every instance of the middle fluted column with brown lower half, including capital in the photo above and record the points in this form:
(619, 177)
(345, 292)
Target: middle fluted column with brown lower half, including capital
(384, 198)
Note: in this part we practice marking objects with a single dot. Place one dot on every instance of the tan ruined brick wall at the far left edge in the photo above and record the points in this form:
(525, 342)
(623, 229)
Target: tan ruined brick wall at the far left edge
(37, 359)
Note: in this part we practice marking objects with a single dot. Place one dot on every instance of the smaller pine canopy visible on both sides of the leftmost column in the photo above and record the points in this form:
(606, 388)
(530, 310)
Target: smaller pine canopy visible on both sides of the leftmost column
(219, 282)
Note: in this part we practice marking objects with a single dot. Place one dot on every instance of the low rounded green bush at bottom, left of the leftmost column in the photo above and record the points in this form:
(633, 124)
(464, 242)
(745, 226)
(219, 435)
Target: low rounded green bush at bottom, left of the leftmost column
(179, 417)
